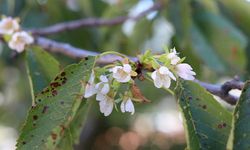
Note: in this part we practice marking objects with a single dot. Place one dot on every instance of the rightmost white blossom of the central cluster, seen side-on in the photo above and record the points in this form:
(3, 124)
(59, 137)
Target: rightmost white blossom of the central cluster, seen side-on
(185, 71)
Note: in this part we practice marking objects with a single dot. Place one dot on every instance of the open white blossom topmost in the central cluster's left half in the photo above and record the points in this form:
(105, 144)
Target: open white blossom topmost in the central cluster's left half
(123, 73)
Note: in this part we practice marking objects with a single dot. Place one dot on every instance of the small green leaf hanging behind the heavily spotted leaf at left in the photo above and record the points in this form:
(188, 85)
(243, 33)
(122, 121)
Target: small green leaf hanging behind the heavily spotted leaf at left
(41, 67)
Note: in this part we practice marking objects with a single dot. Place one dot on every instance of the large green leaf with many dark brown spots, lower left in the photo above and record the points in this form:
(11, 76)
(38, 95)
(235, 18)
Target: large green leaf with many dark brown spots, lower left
(56, 108)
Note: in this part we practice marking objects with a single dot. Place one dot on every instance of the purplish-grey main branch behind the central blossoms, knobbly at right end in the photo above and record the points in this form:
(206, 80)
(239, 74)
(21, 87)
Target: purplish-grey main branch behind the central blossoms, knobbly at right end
(221, 90)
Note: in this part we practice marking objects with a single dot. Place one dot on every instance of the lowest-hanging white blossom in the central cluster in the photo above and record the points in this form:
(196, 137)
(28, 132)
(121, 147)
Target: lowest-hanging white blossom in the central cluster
(106, 105)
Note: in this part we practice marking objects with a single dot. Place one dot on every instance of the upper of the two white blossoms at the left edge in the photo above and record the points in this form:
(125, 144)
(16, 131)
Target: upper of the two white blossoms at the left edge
(8, 25)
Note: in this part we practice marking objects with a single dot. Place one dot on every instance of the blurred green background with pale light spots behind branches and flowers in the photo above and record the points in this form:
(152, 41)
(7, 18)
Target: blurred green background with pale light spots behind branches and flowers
(212, 34)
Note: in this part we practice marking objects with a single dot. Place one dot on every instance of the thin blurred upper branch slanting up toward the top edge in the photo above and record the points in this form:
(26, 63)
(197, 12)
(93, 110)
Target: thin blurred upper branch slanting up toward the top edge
(91, 22)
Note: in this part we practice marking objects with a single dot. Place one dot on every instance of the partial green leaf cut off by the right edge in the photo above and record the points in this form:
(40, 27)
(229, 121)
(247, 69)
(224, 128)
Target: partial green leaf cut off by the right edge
(240, 133)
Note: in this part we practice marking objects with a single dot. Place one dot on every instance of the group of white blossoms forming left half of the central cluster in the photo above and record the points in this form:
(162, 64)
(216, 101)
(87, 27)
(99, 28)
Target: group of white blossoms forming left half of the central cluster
(105, 94)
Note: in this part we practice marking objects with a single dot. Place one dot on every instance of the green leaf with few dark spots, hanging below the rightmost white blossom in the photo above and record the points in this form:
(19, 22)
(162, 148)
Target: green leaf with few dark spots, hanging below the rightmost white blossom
(206, 122)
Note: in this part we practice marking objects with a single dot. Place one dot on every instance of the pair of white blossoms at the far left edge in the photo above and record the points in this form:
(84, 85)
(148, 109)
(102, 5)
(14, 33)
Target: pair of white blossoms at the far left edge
(11, 32)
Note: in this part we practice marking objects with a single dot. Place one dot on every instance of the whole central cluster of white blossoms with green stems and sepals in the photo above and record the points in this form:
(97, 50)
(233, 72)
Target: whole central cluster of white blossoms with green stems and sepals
(106, 82)
